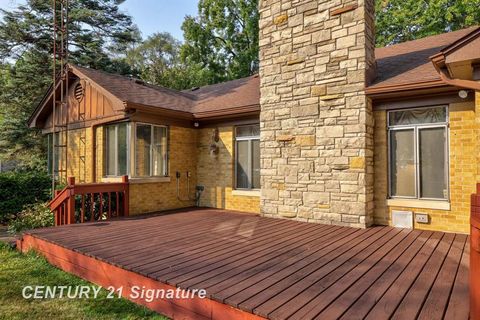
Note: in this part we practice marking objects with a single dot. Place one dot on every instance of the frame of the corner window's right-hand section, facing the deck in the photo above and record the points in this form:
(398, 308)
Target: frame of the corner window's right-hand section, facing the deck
(167, 155)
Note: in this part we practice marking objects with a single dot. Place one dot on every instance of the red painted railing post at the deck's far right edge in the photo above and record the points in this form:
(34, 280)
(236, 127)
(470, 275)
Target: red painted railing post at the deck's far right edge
(475, 256)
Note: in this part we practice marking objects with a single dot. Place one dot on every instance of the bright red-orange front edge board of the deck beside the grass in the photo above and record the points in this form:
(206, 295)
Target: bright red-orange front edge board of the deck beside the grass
(105, 275)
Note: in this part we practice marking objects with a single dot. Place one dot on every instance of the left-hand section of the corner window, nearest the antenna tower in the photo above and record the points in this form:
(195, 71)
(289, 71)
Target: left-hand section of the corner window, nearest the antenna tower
(116, 149)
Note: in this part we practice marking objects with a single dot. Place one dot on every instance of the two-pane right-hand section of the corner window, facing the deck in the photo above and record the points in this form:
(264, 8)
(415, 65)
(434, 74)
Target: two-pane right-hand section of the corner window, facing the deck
(151, 156)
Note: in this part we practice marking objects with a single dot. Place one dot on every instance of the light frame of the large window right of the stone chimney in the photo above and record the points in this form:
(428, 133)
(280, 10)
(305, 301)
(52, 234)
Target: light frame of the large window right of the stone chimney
(416, 128)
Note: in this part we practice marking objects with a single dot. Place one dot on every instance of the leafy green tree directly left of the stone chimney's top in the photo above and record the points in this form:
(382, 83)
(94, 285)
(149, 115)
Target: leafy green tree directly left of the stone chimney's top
(222, 40)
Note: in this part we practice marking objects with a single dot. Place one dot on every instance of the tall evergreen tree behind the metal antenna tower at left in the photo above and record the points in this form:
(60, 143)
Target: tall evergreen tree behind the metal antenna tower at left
(96, 28)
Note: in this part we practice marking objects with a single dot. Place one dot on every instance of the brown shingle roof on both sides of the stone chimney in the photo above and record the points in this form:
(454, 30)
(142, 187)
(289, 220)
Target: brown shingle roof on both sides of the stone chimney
(404, 63)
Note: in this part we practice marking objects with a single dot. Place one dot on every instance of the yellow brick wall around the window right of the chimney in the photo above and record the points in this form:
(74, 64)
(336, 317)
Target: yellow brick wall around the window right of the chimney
(464, 171)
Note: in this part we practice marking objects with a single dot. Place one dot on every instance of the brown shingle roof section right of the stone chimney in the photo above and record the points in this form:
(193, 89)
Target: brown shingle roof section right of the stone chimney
(409, 62)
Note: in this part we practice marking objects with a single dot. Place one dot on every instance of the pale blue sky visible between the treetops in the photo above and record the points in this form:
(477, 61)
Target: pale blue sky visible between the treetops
(150, 15)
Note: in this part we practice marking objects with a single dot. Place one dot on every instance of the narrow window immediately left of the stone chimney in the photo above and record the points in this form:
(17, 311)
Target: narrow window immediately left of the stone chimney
(247, 157)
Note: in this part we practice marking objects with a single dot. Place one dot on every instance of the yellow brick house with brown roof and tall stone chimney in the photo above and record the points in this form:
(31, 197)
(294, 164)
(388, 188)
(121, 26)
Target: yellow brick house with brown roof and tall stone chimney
(331, 130)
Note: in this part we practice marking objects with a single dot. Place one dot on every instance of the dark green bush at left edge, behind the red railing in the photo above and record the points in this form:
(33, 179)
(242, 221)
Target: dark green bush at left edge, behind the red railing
(21, 188)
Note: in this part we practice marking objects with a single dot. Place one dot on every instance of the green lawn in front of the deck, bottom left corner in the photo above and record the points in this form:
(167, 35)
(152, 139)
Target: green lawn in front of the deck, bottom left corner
(18, 270)
